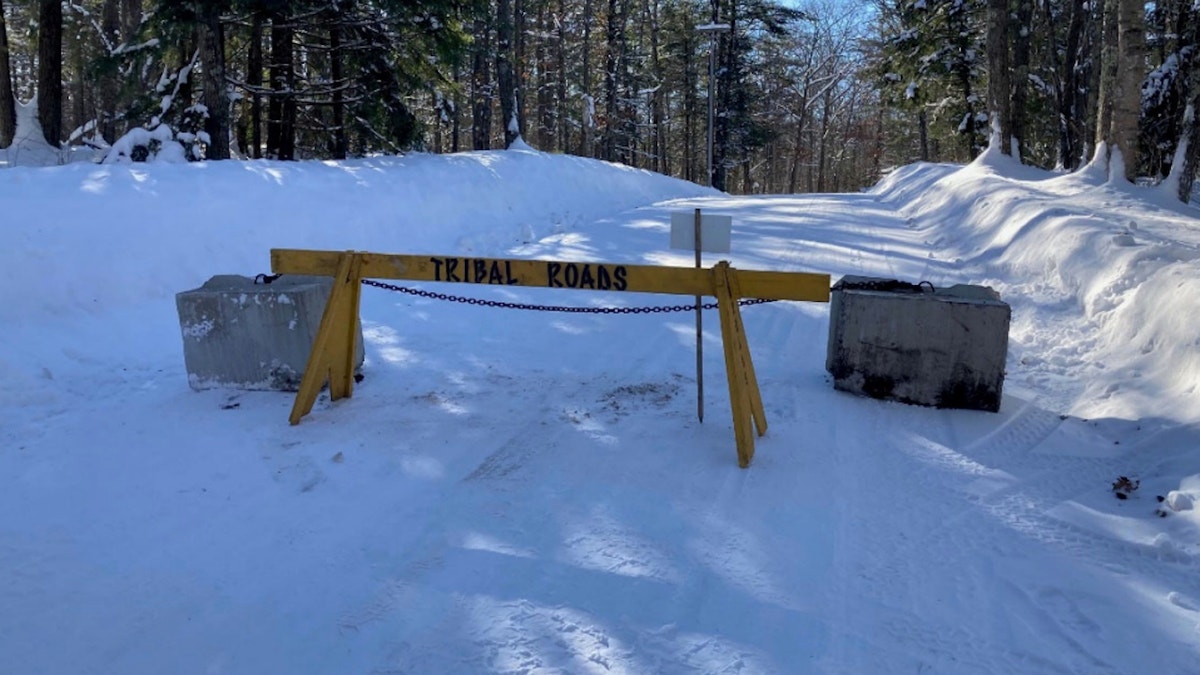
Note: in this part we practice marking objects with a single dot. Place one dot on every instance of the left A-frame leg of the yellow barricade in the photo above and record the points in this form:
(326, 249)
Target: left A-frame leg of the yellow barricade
(333, 350)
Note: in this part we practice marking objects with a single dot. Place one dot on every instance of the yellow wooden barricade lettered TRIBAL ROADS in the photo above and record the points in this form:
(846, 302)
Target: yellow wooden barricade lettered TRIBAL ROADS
(333, 353)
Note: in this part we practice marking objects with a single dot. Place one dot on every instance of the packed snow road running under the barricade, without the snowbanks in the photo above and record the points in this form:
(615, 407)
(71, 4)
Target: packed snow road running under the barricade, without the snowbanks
(532, 493)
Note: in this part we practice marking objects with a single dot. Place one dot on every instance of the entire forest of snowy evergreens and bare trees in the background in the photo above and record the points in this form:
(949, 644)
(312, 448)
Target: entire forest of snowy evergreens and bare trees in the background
(811, 95)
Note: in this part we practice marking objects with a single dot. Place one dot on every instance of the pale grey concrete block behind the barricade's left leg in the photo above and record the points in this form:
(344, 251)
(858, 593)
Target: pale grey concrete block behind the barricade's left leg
(251, 336)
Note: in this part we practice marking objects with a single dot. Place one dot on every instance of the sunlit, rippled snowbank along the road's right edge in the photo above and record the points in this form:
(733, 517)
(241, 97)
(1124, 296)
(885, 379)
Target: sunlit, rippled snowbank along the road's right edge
(1127, 259)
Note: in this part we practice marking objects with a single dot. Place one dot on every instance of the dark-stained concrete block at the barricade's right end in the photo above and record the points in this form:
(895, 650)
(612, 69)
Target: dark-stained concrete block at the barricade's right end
(934, 348)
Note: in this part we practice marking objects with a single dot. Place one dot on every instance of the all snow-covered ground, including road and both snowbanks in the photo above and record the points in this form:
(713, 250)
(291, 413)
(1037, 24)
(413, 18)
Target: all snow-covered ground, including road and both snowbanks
(532, 493)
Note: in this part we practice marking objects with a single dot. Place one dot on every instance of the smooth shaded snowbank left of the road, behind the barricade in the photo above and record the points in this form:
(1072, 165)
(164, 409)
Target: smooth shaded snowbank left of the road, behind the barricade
(76, 237)
